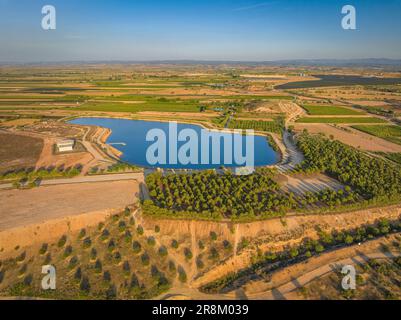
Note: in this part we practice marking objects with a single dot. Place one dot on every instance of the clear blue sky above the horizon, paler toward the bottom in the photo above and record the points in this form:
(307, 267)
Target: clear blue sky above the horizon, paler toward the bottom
(200, 30)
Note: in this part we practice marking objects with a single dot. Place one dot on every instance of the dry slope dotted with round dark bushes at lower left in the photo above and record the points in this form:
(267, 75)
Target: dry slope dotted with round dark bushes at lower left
(118, 258)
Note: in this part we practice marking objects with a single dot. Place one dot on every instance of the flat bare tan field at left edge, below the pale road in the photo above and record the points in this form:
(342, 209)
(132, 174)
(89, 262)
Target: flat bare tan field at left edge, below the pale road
(24, 207)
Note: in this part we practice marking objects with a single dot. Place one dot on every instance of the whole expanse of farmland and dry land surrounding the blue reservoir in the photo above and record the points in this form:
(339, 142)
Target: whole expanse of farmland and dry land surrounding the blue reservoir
(115, 229)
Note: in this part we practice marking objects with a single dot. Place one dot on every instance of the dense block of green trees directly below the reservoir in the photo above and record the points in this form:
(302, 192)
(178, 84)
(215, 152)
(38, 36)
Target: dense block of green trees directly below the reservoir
(228, 195)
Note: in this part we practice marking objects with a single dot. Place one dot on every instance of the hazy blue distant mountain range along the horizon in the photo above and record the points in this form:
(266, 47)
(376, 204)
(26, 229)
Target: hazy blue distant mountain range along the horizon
(371, 62)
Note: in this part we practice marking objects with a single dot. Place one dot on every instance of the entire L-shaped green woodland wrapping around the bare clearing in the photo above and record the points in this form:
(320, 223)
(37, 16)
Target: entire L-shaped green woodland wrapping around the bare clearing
(367, 180)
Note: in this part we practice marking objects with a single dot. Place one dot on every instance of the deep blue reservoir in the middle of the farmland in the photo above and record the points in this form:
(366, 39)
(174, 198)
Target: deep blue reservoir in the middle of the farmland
(129, 137)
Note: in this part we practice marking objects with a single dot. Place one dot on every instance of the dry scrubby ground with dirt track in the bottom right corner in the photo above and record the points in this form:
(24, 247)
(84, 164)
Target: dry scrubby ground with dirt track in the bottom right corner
(320, 277)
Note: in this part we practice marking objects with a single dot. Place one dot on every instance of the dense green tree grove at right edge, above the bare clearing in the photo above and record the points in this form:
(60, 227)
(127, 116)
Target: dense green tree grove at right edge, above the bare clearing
(372, 178)
